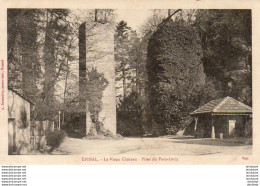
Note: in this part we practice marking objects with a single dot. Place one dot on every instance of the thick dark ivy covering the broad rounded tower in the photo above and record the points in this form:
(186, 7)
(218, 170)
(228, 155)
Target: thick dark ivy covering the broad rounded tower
(175, 76)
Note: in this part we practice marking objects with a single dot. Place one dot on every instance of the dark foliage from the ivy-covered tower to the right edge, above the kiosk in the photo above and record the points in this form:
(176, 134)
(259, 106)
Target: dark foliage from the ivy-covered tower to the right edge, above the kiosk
(217, 42)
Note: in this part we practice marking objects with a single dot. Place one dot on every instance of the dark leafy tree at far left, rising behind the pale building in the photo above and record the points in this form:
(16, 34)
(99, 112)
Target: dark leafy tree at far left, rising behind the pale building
(23, 57)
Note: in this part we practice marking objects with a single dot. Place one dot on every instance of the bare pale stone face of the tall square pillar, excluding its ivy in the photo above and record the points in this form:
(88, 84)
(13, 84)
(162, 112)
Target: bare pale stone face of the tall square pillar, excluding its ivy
(100, 55)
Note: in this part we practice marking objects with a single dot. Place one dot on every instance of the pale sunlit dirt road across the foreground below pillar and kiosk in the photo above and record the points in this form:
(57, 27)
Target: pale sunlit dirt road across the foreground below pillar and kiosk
(169, 145)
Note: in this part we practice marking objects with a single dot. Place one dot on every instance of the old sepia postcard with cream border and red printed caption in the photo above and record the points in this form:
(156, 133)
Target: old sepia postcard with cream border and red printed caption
(129, 83)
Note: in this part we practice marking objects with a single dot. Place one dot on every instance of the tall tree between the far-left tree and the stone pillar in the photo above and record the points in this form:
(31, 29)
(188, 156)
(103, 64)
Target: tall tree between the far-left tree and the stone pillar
(56, 53)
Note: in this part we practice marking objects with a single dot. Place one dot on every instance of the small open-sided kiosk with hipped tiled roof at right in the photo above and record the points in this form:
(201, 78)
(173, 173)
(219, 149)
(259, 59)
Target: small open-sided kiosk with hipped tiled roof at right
(225, 117)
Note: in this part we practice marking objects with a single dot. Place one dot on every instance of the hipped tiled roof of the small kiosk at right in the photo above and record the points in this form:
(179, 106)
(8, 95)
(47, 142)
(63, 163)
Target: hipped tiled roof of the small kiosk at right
(225, 105)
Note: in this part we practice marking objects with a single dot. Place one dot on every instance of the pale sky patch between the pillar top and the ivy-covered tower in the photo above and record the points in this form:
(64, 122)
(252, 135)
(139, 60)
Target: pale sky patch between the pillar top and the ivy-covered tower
(135, 18)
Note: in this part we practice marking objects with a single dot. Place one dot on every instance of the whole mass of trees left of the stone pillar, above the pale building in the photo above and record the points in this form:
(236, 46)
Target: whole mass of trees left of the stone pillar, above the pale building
(39, 51)
